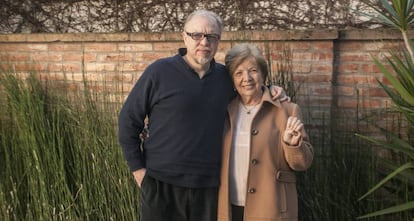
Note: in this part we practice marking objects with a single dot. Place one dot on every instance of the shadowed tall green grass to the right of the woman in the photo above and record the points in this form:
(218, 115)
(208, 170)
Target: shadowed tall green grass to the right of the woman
(344, 167)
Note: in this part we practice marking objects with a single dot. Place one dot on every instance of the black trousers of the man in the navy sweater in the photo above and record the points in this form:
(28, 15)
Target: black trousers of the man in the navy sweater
(165, 202)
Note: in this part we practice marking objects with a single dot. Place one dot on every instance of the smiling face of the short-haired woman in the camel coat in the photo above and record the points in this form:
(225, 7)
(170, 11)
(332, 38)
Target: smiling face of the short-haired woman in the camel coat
(248, 79)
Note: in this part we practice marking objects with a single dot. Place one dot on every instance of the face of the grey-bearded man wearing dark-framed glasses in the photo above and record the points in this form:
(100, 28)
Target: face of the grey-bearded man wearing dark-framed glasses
(201, 51)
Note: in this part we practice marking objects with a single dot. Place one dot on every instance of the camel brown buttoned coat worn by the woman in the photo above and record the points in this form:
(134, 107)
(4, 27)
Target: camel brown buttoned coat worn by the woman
(271, 184)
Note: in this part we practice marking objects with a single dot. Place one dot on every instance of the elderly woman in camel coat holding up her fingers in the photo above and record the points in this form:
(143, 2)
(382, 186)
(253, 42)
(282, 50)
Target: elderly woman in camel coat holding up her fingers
(264, 143)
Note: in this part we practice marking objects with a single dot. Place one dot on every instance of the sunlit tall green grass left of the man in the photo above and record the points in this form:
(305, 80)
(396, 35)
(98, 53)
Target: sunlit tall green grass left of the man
(59, 154)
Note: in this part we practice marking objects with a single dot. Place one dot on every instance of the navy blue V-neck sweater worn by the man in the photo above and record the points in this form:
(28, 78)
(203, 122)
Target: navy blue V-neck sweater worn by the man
(186, 116)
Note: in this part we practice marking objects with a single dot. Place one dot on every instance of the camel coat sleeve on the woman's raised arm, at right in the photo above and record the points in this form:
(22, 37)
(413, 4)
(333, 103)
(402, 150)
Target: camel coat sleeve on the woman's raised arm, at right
(300, 157)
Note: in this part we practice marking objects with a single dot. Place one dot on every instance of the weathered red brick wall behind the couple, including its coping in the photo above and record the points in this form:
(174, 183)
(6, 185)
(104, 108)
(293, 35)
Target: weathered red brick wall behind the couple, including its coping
(334, 69)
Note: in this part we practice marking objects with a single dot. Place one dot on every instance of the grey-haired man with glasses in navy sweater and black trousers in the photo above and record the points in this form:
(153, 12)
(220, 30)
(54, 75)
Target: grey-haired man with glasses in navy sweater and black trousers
(185, 99)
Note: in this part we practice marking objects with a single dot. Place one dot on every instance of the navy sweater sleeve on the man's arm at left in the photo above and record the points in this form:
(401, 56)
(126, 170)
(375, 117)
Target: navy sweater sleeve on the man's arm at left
(131, 121)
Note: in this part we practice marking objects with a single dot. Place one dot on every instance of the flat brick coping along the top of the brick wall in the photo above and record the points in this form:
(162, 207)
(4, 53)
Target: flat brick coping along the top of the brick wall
(366, 34)
